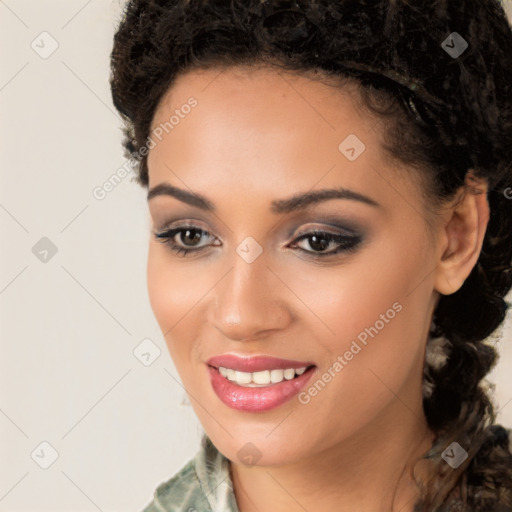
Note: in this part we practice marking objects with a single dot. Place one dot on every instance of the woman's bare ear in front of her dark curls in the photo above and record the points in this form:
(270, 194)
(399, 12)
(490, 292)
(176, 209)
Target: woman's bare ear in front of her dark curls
(462, 233)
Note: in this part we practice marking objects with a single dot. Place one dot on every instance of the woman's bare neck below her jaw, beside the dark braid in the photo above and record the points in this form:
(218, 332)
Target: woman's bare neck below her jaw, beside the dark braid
(370, 470)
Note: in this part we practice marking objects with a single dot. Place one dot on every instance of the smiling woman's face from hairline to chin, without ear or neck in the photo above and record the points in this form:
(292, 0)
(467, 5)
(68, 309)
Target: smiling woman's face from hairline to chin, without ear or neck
(358, 307)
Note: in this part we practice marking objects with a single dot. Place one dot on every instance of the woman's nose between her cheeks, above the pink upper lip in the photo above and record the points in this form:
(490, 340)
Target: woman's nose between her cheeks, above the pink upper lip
(249, 302)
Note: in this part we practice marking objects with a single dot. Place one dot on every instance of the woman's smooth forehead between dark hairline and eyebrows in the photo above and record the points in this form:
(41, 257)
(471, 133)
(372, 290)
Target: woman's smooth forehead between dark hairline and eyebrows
(265, 130)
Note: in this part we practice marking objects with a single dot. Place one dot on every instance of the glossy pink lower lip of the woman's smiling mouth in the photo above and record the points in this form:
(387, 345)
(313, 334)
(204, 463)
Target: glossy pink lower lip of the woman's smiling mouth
(257, 399)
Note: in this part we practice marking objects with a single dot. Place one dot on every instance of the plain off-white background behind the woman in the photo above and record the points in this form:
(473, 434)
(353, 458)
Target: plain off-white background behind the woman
(69, 325)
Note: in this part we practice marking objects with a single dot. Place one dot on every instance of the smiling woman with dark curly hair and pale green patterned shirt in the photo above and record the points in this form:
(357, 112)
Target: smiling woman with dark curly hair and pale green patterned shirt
(329, 187)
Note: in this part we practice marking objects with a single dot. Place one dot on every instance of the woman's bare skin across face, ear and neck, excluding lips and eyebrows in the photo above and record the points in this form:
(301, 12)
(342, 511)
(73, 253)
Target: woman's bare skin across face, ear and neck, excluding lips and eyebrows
(259, 136)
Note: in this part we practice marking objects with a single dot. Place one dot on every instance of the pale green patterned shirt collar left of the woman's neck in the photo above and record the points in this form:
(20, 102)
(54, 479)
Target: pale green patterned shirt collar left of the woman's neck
(202, 485)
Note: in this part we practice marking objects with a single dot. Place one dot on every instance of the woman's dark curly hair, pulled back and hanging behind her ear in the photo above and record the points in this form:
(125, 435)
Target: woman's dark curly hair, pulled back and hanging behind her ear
(446, 114)
